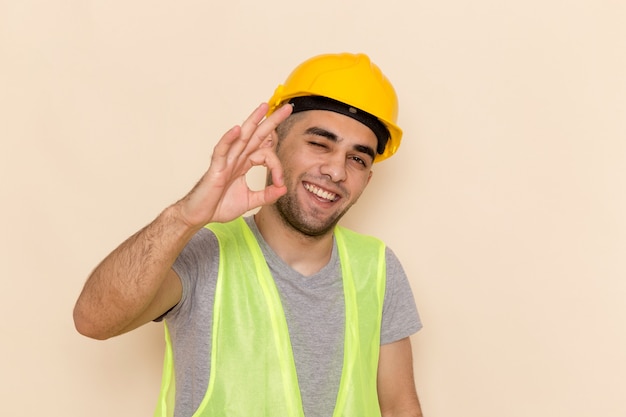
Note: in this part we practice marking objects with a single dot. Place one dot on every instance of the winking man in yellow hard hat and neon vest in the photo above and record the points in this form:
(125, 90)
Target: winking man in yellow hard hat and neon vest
(282, 313)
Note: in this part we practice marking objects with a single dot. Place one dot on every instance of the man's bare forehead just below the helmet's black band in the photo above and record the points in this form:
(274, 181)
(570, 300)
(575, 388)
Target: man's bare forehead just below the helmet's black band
(344, 127)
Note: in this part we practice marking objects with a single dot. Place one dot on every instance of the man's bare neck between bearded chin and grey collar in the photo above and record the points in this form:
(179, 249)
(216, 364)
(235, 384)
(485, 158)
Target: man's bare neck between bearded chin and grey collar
(305, 254)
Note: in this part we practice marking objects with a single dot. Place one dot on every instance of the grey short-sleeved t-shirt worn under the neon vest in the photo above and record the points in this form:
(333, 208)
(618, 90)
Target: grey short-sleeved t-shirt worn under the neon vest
(314, 309)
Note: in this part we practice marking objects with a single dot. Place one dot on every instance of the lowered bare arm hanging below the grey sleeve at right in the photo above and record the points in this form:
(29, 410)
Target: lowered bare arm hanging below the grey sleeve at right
(396, 387)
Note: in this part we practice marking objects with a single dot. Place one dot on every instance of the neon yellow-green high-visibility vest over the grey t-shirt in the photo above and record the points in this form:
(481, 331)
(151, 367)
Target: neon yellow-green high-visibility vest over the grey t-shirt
(253, 371)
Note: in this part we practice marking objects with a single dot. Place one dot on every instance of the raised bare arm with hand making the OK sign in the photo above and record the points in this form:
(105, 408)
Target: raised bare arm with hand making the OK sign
(135, 283)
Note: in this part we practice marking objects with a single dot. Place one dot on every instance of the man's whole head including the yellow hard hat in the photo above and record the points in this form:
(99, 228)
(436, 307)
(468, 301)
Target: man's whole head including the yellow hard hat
(343, 120)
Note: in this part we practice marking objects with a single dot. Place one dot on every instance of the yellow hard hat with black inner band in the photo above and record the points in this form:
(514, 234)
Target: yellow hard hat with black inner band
(355, 81)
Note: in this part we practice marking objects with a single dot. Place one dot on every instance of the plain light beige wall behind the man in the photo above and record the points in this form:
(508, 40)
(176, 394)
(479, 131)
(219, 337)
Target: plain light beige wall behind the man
(505, 203)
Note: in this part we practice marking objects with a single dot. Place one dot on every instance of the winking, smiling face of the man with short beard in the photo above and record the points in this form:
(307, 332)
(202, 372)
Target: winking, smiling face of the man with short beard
(327, 160)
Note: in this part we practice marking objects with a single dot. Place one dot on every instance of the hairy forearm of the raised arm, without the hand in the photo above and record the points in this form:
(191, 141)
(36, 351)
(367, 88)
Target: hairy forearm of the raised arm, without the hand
(124, 285)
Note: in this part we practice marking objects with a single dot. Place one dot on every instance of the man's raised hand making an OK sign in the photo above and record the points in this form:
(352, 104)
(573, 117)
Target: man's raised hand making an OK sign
(223, 194)
